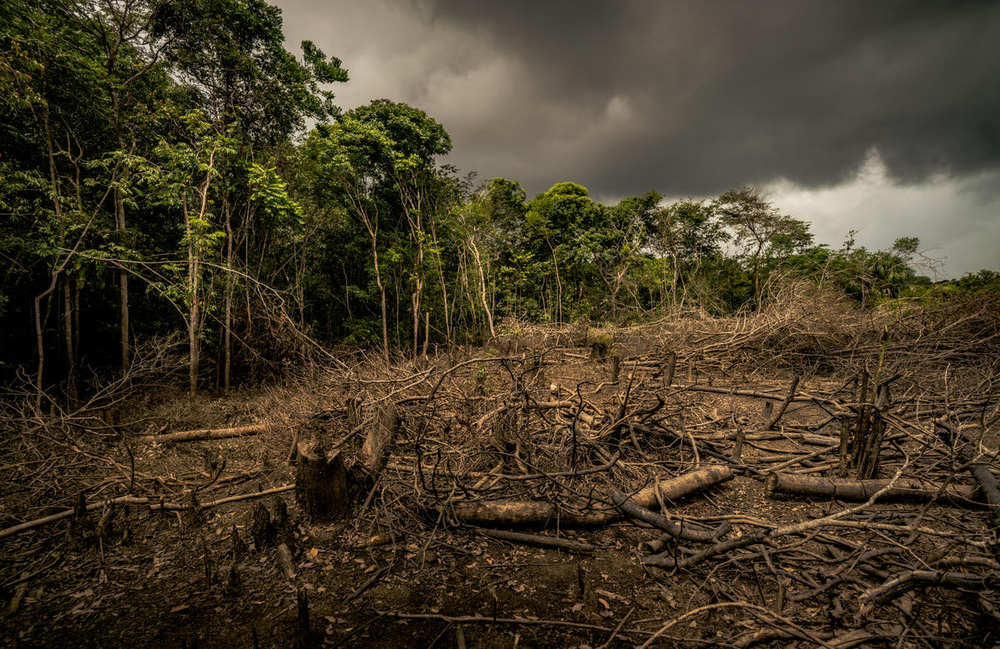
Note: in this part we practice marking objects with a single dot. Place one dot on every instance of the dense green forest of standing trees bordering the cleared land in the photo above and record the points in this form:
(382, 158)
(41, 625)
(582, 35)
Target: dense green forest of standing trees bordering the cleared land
(171, 177)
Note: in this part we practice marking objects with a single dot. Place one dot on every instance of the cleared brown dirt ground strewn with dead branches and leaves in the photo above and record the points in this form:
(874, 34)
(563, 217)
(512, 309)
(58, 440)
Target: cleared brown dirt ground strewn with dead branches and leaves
(402, 569)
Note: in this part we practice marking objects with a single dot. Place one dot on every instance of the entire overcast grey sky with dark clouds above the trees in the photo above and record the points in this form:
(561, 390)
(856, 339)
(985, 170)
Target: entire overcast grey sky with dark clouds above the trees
(876, 116)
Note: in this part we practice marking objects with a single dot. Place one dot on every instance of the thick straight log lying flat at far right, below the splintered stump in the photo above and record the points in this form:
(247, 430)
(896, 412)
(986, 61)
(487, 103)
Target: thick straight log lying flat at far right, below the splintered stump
(861, 490)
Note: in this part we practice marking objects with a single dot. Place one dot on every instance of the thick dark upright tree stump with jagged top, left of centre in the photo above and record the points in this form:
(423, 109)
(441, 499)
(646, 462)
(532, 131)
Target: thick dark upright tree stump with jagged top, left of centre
(321, 485)
